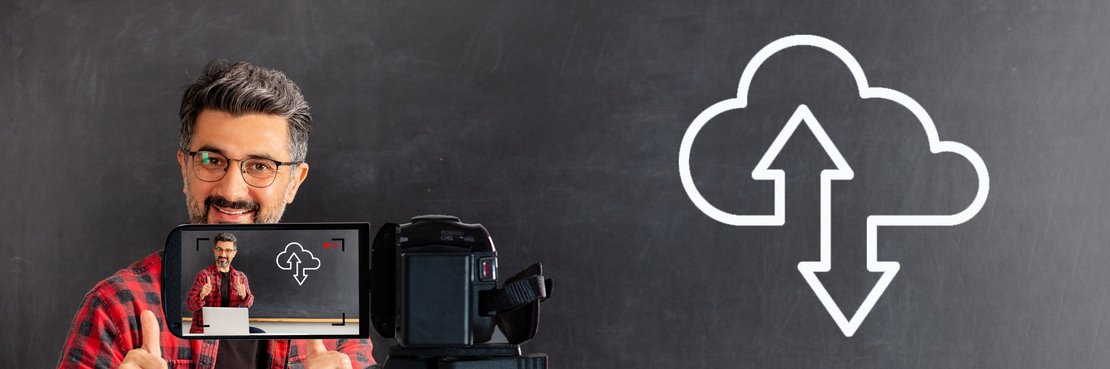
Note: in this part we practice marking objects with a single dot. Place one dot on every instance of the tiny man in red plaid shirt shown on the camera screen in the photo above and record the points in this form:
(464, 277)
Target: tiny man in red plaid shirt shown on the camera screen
(231, 288)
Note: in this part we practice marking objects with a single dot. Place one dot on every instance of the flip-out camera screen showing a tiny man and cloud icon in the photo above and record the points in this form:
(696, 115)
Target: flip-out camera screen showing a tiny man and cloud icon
(291, 281)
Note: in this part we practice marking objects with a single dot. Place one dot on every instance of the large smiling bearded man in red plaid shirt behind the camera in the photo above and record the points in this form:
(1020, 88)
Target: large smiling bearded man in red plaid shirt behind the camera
(244, 141)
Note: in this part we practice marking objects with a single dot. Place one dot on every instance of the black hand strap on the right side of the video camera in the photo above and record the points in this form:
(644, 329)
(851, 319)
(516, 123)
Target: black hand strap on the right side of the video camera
(517, 304)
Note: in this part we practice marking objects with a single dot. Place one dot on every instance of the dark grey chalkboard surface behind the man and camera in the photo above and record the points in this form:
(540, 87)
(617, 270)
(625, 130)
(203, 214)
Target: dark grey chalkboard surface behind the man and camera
(560, 126)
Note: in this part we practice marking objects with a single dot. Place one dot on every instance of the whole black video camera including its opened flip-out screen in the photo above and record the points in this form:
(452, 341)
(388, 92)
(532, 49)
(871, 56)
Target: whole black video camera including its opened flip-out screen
(431, 284)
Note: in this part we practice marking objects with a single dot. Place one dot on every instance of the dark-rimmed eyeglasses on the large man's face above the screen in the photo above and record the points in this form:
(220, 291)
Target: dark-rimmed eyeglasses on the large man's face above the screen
(211, 167)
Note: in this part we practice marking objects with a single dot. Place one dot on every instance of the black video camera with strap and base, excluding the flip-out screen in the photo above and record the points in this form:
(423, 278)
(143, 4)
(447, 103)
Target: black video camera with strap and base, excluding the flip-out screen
(435, 288)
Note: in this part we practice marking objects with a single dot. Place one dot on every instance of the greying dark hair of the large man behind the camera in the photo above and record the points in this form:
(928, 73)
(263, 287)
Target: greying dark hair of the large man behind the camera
(243, 88)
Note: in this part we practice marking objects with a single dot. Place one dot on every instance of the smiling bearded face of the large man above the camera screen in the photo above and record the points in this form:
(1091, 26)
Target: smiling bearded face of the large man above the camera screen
(230, 200)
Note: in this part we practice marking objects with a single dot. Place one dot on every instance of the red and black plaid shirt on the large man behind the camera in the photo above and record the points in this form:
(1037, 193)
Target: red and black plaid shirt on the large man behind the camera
(107, 327)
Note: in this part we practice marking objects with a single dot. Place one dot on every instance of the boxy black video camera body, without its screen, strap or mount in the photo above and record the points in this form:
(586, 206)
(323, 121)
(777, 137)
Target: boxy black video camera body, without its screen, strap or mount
(428, 277)
